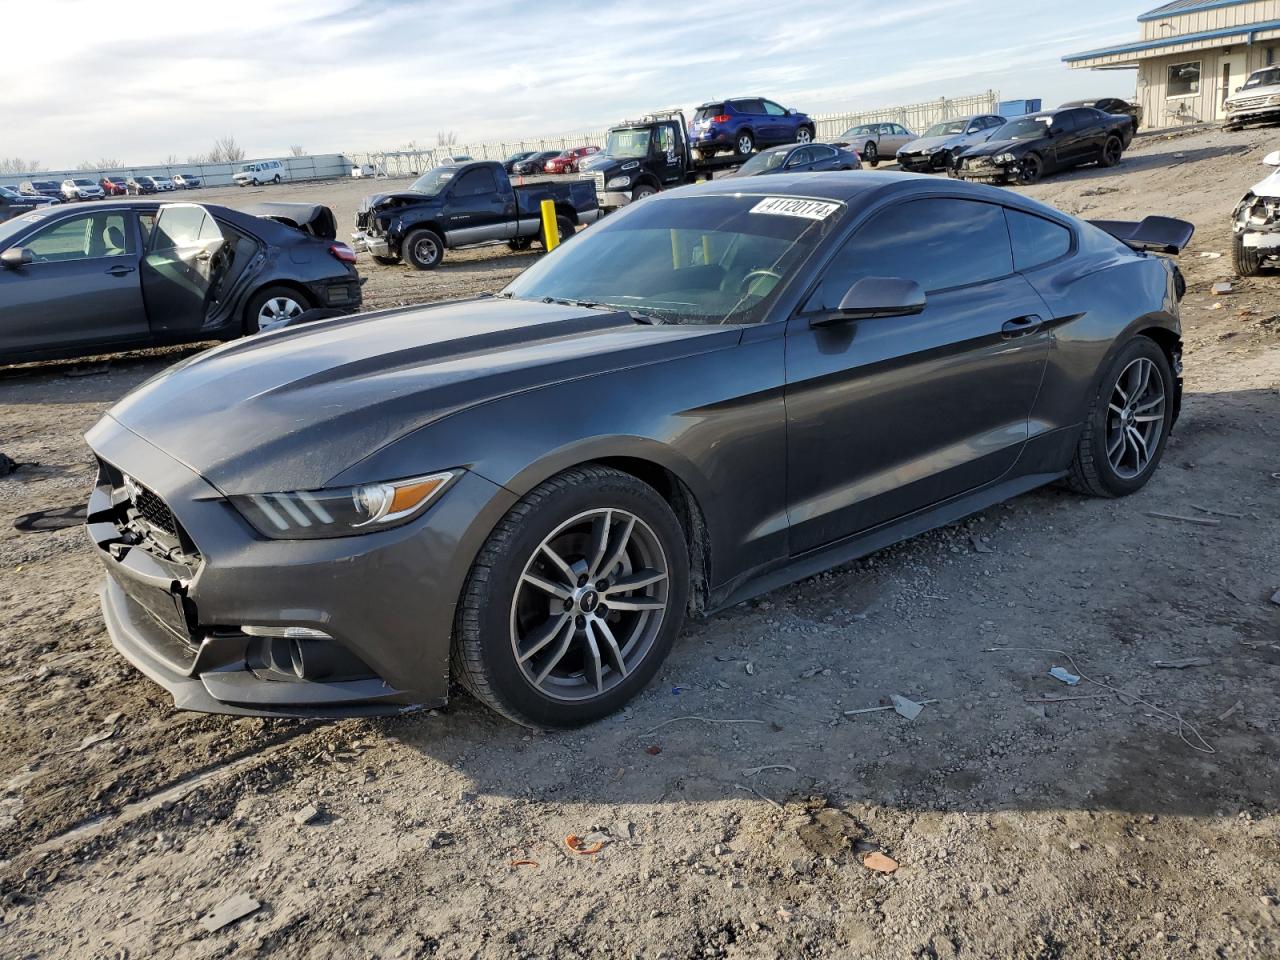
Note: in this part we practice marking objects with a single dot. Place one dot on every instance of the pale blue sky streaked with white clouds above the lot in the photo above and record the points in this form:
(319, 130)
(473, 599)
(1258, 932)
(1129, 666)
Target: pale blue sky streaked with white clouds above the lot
(166, 79)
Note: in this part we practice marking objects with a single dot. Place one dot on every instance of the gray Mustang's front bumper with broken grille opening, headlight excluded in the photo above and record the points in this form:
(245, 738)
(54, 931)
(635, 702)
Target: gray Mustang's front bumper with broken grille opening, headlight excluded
(228, 621)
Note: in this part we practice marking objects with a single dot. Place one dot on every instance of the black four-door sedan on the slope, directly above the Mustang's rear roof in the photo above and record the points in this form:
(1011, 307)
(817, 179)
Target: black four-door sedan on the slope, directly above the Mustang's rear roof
(1027, 149)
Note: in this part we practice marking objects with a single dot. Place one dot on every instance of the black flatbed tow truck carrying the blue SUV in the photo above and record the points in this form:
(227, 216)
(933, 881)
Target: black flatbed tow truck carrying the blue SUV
(650, 156)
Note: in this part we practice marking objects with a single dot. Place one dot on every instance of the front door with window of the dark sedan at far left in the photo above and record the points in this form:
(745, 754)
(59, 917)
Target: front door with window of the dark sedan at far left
(81, 287)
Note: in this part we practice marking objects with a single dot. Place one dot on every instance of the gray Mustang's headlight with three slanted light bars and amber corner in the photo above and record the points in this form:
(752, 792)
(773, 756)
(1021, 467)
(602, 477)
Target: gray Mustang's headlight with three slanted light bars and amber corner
(342, 511)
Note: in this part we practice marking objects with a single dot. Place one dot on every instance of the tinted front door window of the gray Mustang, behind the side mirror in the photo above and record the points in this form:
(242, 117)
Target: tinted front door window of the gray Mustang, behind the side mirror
(938, 243)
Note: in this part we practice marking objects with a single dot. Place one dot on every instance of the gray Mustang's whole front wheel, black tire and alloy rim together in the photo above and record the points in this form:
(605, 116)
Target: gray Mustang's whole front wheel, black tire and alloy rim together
(574, 602)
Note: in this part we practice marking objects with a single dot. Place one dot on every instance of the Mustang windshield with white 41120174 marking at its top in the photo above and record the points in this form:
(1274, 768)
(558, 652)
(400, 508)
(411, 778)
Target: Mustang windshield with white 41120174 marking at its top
(687, 260)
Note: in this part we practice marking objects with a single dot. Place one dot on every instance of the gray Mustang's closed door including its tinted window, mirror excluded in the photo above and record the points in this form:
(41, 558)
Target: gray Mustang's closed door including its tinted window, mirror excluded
(890, 415)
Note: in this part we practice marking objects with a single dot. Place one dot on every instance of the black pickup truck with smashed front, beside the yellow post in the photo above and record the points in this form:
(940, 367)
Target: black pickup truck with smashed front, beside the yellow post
(465, 205)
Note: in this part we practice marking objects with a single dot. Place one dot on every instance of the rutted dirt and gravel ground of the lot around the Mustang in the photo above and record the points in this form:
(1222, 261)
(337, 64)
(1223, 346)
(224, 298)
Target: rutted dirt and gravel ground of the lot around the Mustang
(735, 799)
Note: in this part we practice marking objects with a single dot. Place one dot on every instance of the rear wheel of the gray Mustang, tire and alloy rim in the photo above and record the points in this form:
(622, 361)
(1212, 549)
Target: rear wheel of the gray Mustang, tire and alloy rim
(1128, 424)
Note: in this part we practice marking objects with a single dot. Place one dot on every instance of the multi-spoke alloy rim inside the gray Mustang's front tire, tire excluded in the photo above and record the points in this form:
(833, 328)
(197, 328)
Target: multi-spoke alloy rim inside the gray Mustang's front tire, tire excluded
(589, 605)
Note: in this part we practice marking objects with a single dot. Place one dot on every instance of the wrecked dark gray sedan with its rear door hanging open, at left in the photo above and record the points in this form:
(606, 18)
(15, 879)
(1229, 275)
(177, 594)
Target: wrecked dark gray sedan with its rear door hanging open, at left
(79, 280)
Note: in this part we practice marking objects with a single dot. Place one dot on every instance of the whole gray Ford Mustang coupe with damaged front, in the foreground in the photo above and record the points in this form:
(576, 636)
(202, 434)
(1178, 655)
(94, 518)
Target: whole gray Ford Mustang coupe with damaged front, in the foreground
(706, 396)
